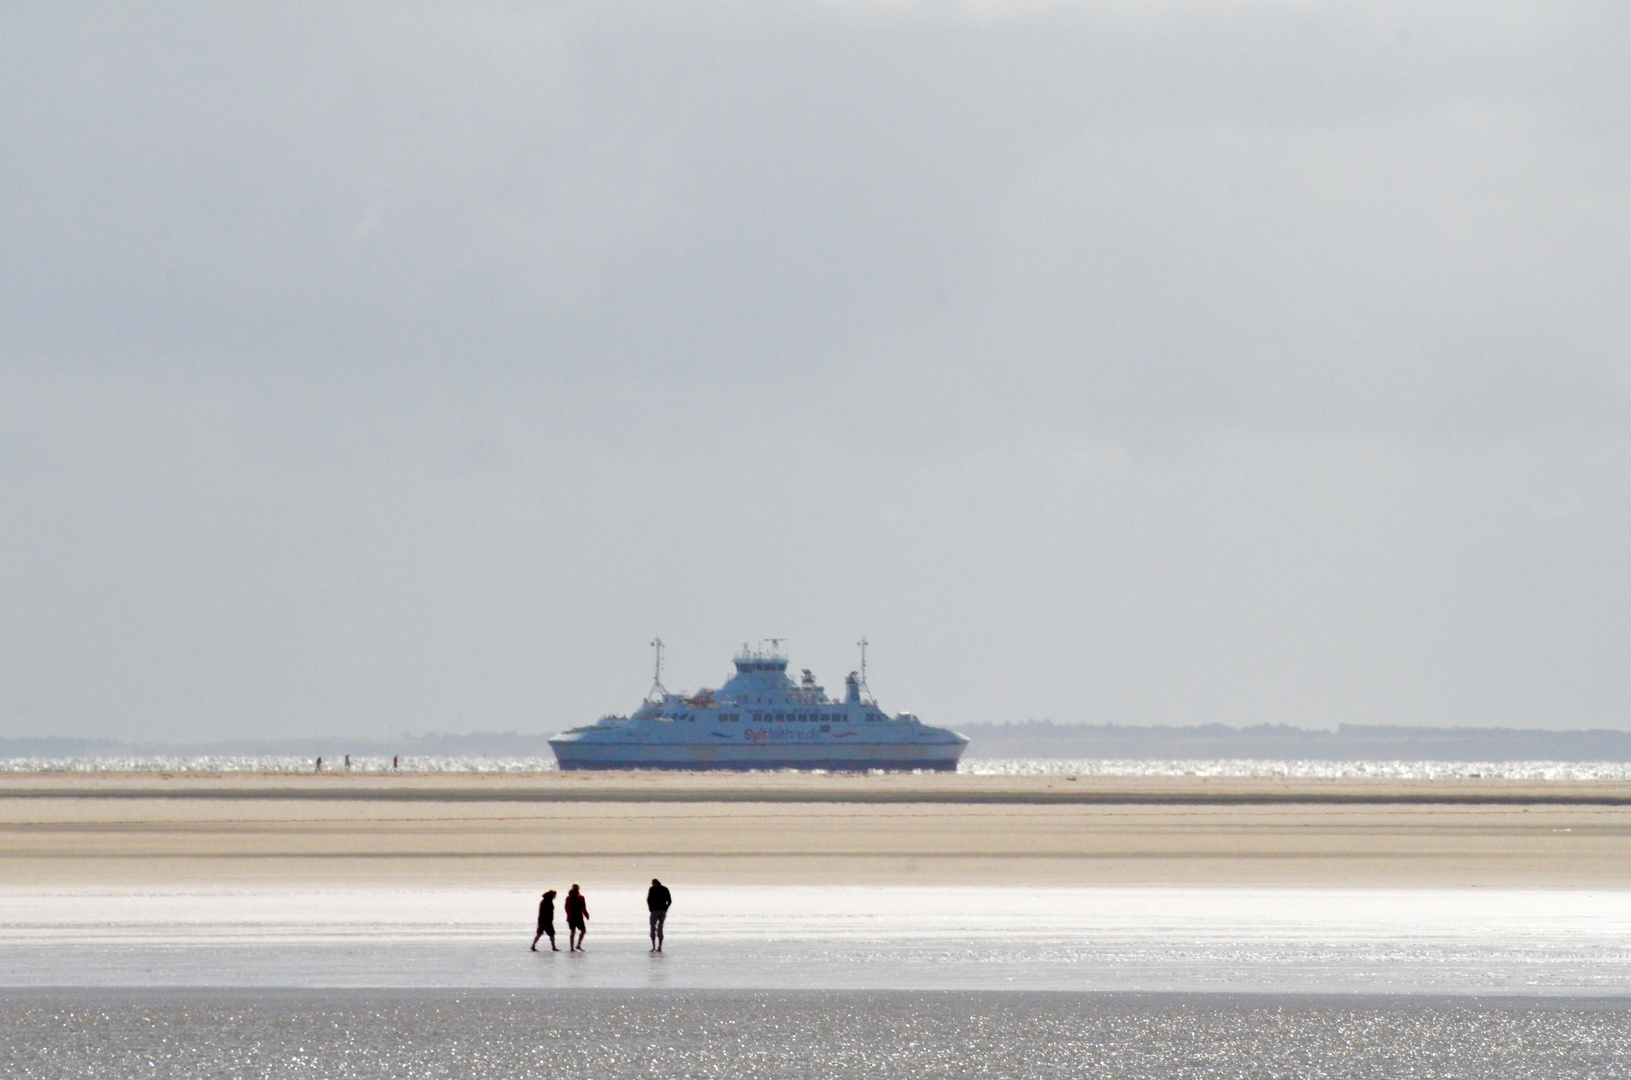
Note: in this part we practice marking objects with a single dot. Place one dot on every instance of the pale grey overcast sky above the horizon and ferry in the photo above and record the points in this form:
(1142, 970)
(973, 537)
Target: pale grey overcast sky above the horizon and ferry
(413, 365)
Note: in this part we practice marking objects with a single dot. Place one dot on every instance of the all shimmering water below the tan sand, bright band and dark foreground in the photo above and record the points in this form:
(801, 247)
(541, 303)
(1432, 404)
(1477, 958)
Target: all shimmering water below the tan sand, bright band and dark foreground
(820, 983)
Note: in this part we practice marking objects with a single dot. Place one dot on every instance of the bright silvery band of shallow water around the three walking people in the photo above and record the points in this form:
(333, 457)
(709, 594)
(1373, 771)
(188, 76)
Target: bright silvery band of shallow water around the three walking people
(842, 939)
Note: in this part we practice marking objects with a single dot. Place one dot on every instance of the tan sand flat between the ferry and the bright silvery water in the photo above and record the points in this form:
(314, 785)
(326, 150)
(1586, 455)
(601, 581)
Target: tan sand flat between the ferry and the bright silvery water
(498, 831)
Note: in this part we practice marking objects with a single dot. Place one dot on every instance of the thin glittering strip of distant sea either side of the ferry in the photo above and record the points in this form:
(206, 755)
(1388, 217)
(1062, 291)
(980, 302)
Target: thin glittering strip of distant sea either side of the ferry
(970, 768)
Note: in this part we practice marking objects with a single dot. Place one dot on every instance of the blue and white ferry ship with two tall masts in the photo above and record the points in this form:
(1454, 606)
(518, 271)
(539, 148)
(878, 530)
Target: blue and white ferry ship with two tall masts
(761, 719)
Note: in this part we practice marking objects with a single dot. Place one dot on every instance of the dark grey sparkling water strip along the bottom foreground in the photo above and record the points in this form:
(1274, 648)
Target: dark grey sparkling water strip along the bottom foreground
(614, 1035)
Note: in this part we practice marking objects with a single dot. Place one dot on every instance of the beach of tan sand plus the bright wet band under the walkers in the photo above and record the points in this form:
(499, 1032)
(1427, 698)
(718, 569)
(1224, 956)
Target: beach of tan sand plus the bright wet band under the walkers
(849, 883)
